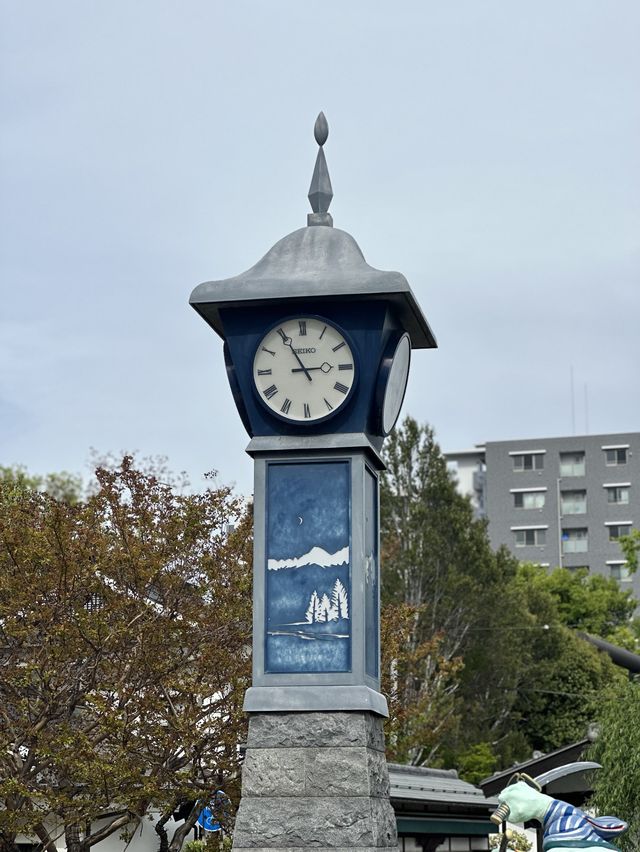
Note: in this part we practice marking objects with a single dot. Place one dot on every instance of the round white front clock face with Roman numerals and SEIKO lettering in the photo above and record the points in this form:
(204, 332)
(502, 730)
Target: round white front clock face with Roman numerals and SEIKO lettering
(304, 369)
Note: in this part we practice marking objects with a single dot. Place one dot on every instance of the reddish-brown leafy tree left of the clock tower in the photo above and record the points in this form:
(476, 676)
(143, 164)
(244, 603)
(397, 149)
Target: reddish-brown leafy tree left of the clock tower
(124, 645)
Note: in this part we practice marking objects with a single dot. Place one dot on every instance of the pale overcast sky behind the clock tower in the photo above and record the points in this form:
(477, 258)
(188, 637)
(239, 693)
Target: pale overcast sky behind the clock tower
(487, 149)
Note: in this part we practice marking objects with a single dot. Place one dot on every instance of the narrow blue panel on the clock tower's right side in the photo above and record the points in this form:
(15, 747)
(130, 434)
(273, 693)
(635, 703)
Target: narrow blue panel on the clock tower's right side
(371, 574)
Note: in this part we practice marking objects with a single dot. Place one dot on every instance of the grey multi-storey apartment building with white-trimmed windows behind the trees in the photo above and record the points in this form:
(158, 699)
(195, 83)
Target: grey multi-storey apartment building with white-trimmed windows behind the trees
(558, 501)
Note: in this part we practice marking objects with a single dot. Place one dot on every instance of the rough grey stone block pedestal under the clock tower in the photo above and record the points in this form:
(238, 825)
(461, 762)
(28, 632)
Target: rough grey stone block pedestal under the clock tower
(315, 781)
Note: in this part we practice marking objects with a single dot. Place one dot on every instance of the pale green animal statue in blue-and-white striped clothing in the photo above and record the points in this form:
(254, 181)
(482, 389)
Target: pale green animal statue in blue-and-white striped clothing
(564, 826)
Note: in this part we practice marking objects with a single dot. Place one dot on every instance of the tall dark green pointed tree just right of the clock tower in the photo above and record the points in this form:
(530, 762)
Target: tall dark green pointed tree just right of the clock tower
(437, 560)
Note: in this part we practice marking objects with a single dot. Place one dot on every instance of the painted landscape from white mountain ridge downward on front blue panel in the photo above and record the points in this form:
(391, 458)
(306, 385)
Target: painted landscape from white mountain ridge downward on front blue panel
(308, 625)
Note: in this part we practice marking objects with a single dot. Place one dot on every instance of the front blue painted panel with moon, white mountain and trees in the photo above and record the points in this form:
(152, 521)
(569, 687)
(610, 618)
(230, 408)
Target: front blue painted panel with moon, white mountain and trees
(308, 567)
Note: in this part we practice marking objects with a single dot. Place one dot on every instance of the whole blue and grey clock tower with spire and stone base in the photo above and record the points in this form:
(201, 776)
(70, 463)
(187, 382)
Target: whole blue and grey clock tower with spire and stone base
(317, 346)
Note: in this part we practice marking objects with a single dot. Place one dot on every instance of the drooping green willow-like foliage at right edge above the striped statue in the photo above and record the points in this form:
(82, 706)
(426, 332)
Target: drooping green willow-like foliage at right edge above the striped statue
(617, 748)
